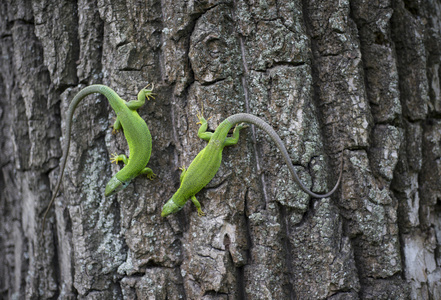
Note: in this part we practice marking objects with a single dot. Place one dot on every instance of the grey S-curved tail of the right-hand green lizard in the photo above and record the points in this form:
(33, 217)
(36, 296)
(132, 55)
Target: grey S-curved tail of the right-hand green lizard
(248, 118)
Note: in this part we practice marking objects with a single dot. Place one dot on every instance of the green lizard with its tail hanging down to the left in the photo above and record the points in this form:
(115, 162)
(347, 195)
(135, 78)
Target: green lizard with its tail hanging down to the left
(136, 133)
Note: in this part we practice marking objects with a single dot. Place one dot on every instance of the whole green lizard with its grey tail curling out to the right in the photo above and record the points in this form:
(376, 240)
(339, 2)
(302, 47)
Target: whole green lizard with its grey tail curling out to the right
(207, 162)
